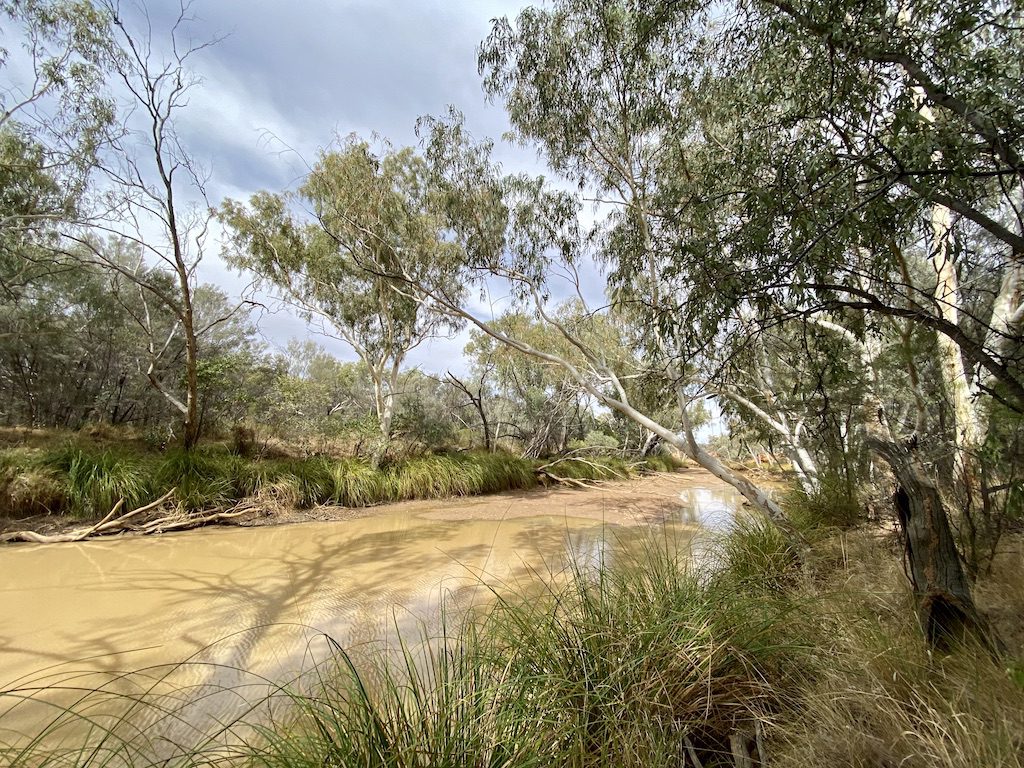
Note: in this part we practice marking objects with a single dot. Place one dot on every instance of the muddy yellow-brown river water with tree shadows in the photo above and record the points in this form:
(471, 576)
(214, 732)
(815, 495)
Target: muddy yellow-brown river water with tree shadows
(244, 604)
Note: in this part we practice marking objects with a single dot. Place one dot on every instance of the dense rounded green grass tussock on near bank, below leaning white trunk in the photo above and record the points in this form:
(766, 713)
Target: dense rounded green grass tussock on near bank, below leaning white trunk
(627, 663)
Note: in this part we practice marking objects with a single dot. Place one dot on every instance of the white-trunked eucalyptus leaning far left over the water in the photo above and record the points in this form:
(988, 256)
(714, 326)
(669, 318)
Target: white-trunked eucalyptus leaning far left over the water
(518, 231)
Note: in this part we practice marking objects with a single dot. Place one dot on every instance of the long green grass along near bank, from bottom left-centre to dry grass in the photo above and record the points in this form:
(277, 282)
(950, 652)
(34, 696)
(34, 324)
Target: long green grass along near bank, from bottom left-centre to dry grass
(613, 668)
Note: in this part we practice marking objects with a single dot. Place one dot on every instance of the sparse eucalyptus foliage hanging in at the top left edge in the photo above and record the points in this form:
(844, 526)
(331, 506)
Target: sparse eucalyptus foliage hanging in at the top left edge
(55, 116)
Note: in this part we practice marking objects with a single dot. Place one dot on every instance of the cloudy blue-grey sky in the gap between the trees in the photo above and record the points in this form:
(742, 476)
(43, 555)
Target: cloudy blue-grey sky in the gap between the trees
(285, 79)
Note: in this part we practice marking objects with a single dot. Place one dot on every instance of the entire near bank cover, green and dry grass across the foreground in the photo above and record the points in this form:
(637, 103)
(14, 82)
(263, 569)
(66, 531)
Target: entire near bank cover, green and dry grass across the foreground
(763, 654)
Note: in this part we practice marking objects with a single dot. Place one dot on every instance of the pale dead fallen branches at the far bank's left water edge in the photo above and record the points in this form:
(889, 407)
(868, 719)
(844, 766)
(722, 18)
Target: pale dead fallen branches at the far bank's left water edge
(134, 522)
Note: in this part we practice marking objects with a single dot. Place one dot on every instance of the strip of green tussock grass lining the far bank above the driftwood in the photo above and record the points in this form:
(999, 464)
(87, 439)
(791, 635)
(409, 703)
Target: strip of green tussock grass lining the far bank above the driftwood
(87, 482)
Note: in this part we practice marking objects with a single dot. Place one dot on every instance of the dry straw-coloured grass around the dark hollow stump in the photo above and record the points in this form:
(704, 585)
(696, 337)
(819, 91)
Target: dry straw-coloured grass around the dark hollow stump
(879, 698)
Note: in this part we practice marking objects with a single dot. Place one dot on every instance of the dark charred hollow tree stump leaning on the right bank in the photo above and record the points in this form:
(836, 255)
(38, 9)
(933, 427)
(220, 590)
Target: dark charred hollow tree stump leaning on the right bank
(946, 607)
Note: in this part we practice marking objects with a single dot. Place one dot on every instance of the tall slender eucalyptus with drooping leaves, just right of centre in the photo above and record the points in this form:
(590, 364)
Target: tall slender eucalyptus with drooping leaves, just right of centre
(599, 88)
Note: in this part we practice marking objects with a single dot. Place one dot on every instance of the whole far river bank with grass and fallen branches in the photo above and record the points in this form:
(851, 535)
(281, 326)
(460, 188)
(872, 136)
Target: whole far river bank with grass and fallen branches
(58, 488)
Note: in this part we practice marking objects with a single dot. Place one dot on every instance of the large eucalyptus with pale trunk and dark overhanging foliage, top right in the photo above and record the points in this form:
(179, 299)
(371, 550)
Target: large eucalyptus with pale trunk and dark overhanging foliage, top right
(882, 175)
